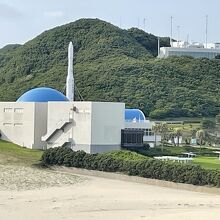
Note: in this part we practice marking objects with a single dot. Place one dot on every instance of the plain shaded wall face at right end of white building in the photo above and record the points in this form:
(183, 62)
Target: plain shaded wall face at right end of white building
(107, 123)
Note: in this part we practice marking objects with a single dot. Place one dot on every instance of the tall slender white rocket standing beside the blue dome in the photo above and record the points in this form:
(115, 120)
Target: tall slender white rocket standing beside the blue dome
(70, 79)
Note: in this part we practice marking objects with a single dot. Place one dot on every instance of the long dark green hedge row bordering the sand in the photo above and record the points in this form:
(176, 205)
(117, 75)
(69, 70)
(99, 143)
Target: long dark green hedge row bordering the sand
(148, 168)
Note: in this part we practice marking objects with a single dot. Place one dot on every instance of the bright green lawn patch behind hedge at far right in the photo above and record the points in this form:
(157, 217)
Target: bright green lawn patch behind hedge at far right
(208, 162)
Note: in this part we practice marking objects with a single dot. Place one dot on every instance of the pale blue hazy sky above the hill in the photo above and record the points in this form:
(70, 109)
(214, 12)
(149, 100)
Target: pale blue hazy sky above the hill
(22, 20)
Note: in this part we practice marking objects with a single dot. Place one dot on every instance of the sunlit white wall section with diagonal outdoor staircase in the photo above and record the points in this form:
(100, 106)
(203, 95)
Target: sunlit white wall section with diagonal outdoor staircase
(78, 130)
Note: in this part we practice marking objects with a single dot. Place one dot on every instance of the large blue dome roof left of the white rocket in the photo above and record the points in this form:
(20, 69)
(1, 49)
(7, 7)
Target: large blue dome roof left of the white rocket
(42, 94)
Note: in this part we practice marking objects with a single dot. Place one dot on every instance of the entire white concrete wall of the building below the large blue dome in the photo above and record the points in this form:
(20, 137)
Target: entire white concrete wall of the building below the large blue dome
(90, 126)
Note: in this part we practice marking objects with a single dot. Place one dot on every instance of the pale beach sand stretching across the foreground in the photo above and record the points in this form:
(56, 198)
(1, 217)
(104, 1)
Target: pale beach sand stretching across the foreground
(69, 197)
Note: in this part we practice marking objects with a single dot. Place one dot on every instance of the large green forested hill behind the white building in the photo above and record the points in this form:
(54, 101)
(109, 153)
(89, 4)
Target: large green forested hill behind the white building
(112, 64)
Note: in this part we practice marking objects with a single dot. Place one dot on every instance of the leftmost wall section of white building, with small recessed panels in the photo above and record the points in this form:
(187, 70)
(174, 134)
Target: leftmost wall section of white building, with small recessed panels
(17, 123)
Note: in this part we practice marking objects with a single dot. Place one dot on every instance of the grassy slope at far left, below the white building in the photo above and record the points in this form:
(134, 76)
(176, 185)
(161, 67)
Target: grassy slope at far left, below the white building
(13, 154)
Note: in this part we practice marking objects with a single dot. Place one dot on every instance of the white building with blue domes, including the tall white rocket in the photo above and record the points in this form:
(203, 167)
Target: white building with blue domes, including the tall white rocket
(44, 118)
